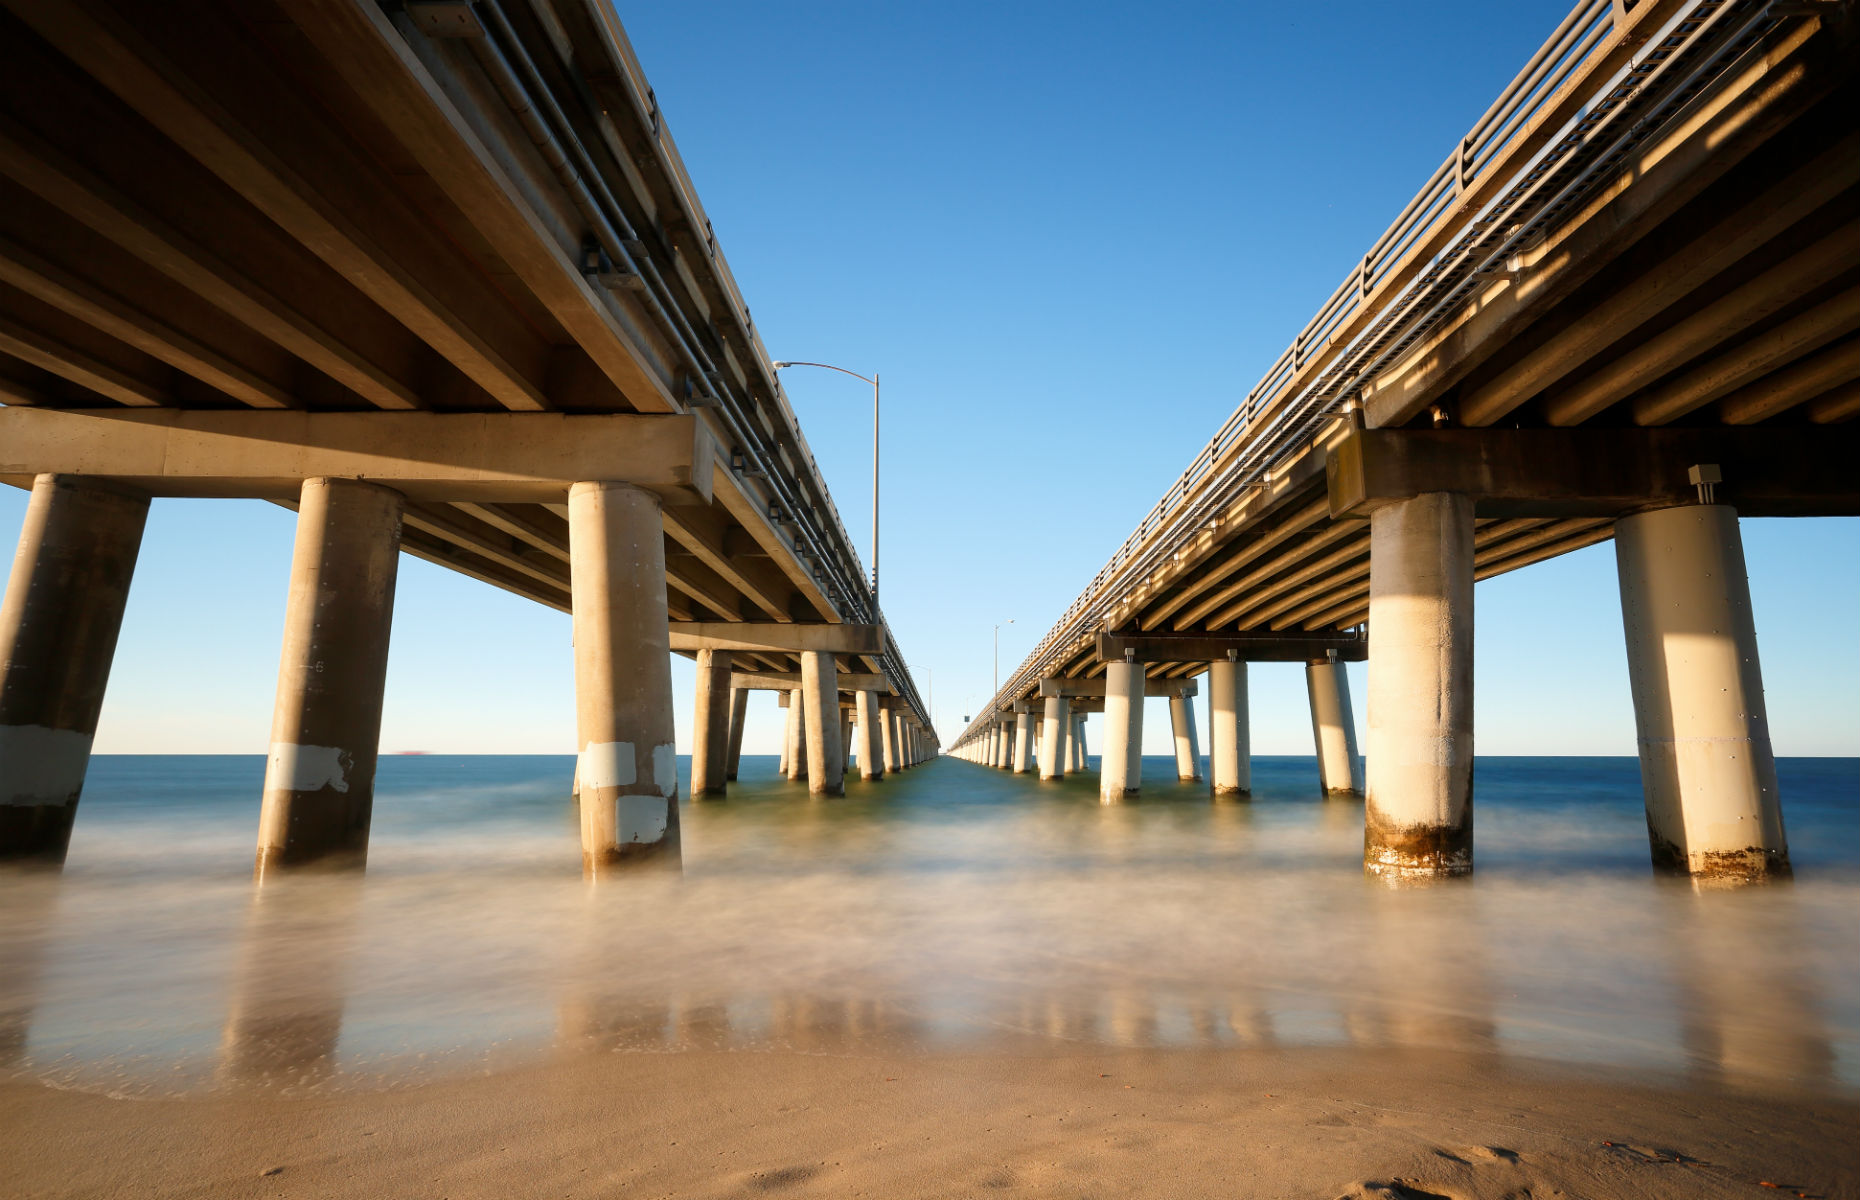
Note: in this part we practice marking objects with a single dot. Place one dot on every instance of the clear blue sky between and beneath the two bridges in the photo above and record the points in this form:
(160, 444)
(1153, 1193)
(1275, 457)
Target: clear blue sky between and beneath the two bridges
(1069, 237)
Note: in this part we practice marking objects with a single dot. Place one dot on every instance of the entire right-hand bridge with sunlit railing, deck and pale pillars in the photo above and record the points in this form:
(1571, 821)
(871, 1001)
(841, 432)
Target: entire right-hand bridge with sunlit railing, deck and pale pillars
(1625, 308)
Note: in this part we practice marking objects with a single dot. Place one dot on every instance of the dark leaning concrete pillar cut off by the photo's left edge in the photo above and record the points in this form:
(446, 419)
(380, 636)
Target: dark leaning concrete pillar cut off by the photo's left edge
(59, 632)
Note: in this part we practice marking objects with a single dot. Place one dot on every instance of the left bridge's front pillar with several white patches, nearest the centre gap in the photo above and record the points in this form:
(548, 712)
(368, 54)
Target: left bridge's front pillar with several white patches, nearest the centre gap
(628, 764)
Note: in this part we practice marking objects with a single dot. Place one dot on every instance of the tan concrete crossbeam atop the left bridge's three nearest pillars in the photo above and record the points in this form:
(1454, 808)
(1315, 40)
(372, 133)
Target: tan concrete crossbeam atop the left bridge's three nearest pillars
(425, 457)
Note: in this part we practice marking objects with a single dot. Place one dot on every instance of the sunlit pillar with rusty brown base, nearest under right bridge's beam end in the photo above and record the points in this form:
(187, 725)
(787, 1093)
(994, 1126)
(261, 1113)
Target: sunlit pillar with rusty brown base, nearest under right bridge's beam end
(1420, 805)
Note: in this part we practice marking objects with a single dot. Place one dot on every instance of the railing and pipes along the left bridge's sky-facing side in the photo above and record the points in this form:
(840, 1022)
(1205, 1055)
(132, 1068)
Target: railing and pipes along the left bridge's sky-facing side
(803, 505)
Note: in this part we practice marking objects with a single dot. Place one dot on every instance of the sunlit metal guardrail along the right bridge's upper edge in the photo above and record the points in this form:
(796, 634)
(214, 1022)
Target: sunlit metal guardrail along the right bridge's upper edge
(1504, 187)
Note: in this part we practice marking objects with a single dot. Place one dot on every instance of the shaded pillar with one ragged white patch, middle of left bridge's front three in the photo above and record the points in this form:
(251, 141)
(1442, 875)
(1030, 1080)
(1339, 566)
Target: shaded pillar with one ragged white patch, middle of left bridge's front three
(326, 728)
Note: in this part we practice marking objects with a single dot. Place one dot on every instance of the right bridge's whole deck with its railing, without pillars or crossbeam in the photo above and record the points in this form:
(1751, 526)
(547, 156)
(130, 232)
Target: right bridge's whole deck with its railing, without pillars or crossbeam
(1656, 226)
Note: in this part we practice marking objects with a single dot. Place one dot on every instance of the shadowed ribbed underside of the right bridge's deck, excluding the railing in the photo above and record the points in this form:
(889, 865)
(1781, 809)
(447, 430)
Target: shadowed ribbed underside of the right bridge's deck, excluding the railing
(1714, 286)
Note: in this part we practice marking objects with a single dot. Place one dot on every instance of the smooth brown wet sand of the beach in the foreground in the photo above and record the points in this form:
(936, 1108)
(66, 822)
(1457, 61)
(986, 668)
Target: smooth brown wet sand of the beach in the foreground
(1031, 1121)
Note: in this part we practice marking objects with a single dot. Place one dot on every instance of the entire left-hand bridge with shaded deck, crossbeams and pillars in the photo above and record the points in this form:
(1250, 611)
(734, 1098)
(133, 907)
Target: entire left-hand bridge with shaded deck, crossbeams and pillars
(432, 274)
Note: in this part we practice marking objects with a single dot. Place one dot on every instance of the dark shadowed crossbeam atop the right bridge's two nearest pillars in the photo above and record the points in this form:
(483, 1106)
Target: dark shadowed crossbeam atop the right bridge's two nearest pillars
(1599, 473)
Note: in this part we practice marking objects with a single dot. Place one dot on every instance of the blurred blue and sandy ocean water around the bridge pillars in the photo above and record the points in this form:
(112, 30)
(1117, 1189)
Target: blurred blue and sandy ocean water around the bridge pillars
(950, 907)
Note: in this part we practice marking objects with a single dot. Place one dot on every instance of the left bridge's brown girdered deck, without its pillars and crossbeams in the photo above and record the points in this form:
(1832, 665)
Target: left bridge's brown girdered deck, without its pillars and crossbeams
(341, 207)
